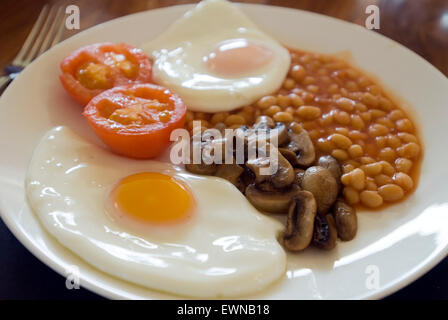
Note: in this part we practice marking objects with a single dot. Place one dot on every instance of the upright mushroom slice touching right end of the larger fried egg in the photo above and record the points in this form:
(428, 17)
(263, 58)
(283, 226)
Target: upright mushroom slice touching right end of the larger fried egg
(300, 223)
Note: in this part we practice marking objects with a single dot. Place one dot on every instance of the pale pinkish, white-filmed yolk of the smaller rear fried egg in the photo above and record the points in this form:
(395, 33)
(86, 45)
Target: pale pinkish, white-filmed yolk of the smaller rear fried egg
(237, 56)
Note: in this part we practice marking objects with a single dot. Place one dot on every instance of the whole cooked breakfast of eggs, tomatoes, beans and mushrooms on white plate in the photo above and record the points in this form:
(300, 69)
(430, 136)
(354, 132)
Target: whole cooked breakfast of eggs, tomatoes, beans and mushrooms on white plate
(341, 144)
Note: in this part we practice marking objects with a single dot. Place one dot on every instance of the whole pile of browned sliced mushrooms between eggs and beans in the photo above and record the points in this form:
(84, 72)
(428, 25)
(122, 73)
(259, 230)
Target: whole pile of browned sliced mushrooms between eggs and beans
(303, 187)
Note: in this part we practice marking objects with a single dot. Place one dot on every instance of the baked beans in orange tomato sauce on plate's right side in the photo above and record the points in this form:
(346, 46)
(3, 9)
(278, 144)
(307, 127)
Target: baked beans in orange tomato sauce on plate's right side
(348, 116)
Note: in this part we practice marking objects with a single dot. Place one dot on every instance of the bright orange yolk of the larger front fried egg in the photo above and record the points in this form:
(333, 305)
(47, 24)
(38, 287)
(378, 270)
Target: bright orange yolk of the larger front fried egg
(154, 198)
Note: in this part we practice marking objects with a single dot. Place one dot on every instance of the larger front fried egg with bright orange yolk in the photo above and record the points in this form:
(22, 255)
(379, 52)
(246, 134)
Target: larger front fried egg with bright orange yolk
(152, 223)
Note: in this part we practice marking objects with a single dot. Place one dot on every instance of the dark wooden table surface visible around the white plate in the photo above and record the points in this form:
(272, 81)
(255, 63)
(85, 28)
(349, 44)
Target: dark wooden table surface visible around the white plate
(421, 25)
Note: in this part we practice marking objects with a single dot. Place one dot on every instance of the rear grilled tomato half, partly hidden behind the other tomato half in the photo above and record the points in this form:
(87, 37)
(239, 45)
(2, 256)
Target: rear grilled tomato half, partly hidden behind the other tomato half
(94, 68)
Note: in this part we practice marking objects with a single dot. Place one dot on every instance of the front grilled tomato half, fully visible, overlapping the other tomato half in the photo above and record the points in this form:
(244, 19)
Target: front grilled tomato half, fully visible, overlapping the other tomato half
(136, 120)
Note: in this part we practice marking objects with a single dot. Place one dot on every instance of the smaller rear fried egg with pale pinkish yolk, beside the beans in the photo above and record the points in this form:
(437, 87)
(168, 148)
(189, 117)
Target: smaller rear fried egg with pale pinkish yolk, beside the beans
(217, 59)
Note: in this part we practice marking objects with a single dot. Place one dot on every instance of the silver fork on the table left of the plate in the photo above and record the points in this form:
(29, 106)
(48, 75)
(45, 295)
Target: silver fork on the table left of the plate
(46, 32)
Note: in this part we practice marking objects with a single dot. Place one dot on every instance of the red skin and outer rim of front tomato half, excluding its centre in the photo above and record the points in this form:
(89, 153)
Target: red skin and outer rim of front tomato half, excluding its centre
(143, 141)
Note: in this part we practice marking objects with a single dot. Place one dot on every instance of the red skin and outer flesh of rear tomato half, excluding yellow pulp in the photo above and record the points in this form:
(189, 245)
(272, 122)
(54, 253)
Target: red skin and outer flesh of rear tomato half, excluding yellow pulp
(97, 53)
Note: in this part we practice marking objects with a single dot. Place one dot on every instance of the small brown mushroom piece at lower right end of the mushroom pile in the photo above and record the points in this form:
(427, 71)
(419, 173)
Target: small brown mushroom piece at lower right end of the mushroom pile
(346, 220)
